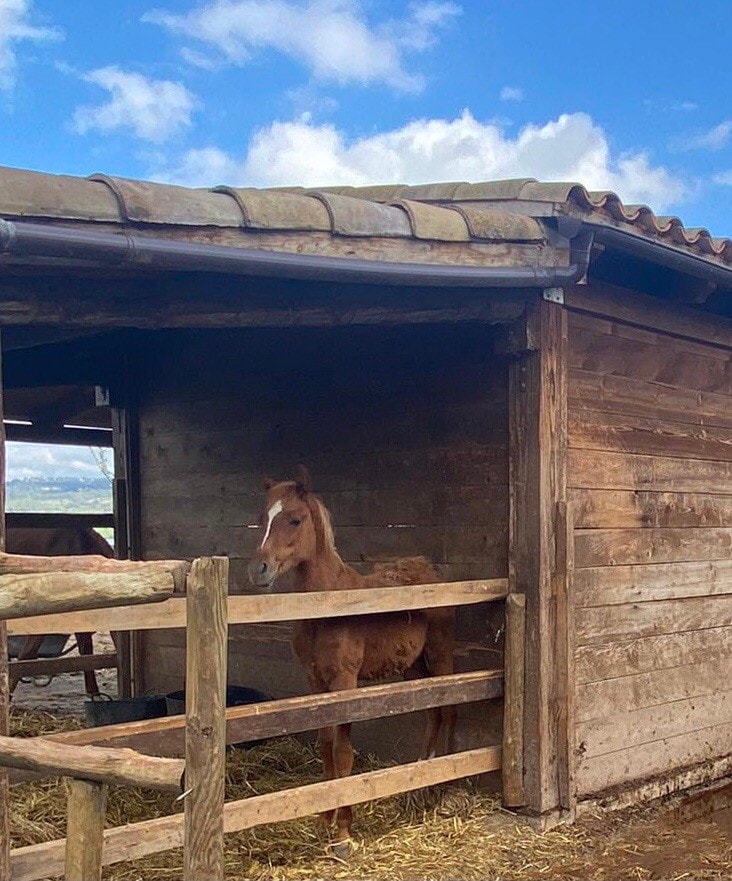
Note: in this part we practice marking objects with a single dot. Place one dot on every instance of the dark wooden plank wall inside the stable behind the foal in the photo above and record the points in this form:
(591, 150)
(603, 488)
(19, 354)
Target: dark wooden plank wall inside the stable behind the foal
(404, 432)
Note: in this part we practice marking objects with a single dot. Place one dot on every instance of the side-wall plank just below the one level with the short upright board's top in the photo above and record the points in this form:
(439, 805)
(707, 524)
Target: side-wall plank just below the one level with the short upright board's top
(620, 547)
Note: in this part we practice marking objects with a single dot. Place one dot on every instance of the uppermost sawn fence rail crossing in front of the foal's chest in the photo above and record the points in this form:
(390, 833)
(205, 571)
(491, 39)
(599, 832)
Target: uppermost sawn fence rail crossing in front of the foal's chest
(269, 608)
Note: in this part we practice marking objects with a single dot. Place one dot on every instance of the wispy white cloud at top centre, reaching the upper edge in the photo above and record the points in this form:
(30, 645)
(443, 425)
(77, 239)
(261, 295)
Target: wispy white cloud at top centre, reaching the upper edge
(332, 38)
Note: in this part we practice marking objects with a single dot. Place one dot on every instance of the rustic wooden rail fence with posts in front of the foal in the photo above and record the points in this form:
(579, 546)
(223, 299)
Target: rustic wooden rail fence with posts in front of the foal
(208, 726)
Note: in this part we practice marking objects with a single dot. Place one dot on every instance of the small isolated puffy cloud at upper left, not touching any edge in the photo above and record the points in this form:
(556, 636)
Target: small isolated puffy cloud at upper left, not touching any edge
(154, 109)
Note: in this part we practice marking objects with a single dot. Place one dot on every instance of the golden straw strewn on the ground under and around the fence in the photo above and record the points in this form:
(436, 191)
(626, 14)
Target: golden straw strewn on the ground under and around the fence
(450, 832)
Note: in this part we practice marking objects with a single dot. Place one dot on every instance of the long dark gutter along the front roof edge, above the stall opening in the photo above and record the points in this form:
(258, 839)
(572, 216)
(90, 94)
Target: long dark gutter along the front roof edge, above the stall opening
(125, 249)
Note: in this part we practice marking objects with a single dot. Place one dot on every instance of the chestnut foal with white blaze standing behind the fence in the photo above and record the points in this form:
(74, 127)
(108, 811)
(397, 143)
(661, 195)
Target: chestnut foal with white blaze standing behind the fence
(338, 652)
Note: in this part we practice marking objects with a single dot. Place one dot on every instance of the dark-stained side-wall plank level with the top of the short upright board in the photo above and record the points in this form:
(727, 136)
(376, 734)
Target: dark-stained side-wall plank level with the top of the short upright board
(616, 509)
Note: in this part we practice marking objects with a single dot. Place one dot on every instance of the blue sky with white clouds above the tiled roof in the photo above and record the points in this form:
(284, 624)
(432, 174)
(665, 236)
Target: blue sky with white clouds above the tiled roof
(632, 96)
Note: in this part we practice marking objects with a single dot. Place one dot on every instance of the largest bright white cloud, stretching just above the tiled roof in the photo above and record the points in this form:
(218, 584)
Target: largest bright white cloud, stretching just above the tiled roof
(572, 147)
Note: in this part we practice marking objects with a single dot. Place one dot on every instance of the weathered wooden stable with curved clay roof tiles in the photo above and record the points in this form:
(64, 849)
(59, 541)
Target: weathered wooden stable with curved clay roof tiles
(517, 380)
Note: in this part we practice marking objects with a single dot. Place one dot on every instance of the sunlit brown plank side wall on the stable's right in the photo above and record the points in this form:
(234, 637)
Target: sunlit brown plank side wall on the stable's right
(650, 477)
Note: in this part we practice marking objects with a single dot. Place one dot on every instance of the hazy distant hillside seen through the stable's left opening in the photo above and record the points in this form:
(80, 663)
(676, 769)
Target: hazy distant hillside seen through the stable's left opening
(79, 495)
